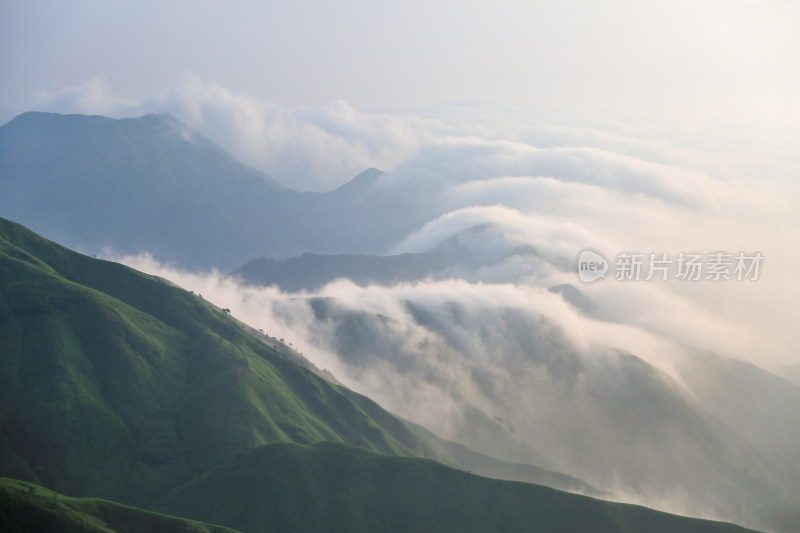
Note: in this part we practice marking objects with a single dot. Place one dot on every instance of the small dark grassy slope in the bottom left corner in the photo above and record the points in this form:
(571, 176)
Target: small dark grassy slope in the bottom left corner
(29, 507)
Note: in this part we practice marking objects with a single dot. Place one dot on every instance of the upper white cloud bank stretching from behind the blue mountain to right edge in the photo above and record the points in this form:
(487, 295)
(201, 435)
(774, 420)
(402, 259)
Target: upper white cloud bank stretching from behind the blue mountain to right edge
(472, 165)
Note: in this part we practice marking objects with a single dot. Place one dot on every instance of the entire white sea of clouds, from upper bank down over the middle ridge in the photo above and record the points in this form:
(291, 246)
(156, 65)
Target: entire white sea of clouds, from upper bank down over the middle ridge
(555, 182)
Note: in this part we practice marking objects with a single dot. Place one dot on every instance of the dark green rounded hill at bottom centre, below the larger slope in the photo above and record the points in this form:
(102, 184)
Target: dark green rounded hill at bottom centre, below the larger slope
(331, 487)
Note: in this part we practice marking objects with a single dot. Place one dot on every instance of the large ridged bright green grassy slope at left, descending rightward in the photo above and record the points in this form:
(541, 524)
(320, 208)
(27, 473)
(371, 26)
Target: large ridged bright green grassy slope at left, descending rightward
(117, 384)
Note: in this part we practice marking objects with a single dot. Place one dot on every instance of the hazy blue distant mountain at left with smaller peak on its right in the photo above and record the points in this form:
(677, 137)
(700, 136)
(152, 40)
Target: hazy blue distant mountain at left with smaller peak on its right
(152, 184)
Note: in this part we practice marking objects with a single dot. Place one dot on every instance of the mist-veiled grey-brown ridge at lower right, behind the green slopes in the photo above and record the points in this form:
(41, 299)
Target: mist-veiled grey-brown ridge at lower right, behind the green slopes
(511, 385)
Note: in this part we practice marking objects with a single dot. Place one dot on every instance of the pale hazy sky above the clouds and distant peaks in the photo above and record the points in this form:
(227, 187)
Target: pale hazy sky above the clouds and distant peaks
(735, 60)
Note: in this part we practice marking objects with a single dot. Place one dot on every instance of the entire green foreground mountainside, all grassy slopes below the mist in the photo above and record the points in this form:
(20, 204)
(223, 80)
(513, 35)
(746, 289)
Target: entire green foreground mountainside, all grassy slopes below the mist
(119, 385)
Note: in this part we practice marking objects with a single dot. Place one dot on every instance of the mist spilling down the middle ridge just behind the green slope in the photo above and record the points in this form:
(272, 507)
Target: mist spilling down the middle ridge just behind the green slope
(514, 371)
